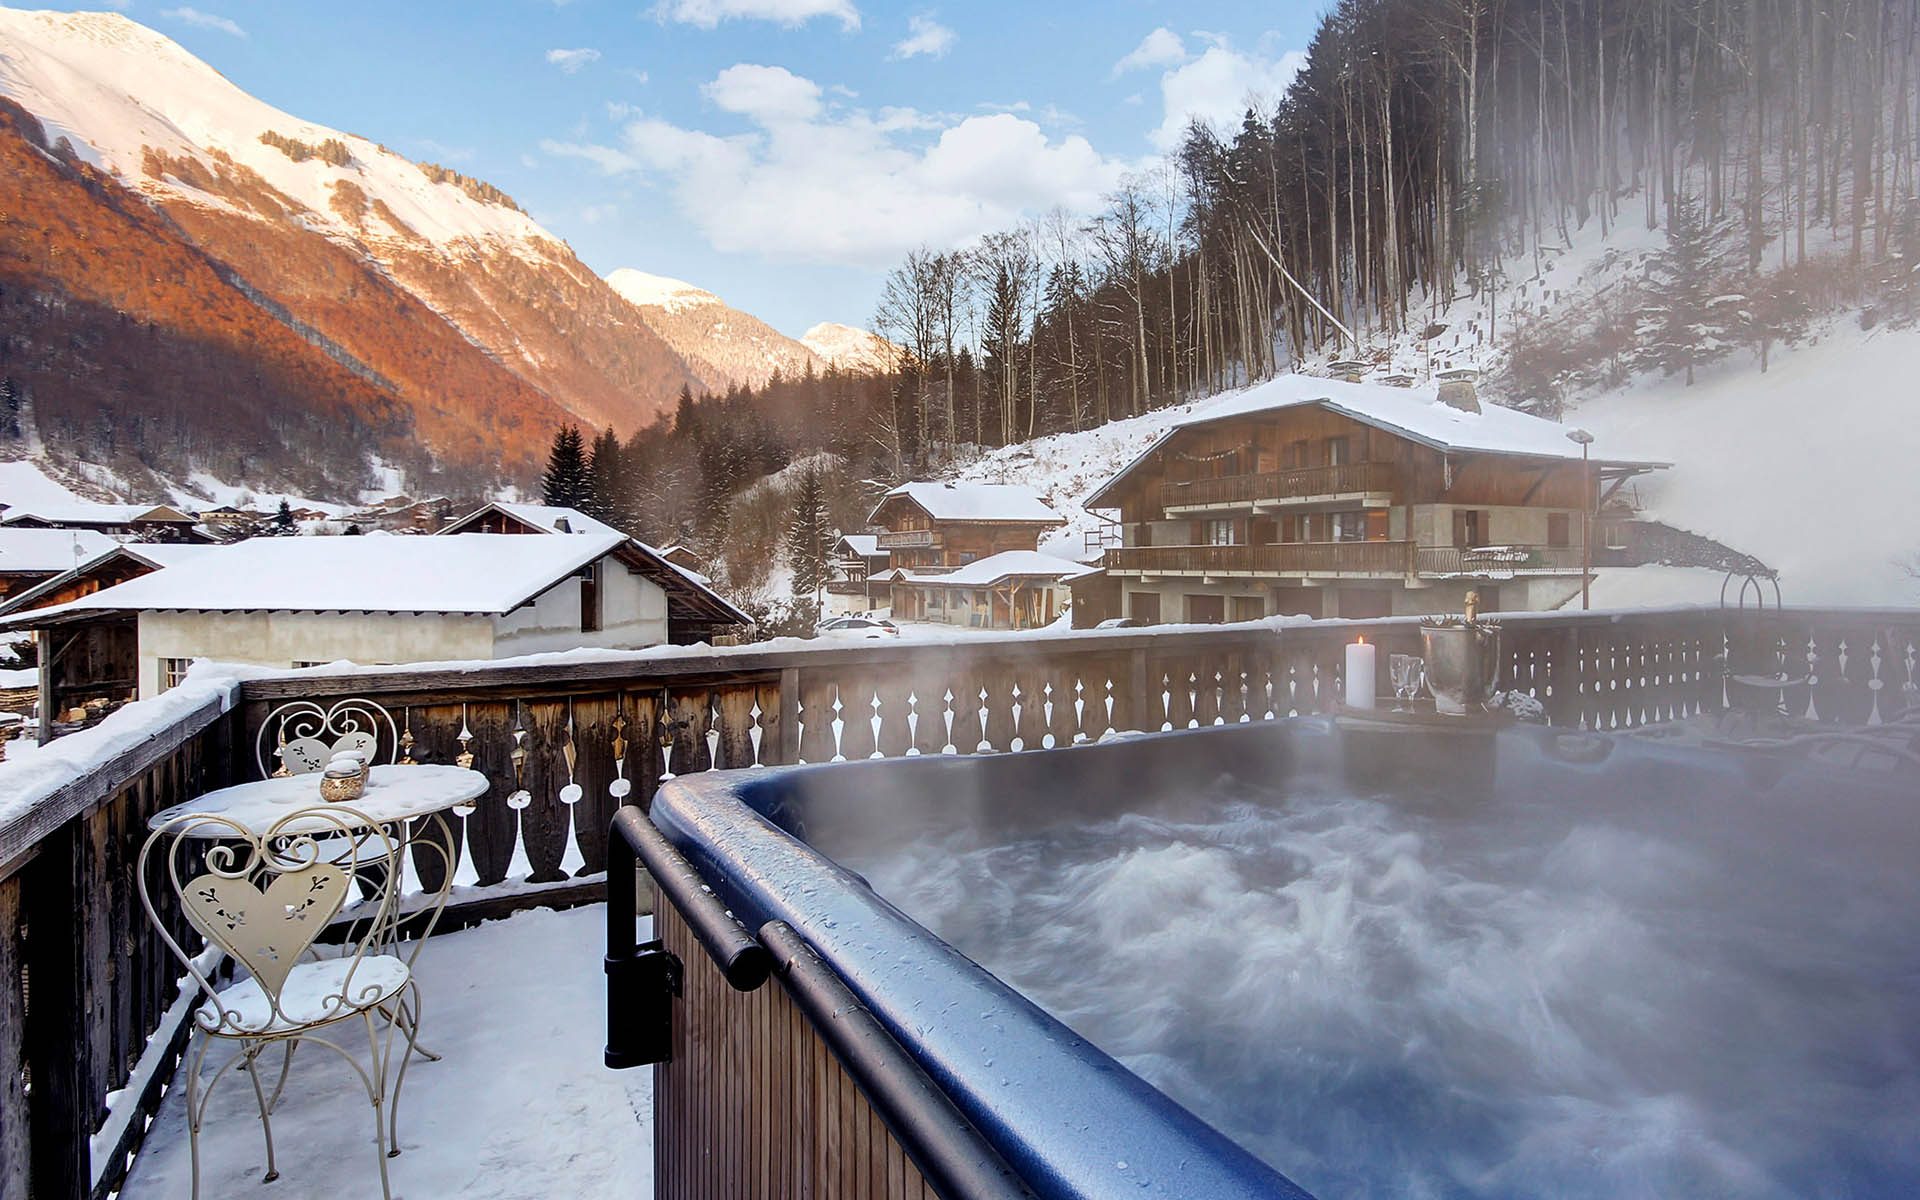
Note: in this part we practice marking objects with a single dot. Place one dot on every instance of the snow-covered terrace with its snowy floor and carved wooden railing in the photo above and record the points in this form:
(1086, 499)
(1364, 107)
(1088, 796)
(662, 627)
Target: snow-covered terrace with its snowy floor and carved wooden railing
(521, 1103)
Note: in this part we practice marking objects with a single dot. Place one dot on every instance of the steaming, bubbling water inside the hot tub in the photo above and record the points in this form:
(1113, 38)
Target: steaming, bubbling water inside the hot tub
(1516, 994)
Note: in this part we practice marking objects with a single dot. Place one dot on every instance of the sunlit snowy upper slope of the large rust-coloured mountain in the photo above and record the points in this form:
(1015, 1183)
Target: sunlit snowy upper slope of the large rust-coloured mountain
(187, 133)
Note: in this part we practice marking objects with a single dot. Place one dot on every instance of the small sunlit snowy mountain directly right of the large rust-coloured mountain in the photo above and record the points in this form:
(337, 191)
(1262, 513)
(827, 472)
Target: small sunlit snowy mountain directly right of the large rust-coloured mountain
(725, 347)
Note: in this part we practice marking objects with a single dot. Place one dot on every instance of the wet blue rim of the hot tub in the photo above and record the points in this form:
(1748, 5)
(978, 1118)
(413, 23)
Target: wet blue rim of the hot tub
(1065, 1115)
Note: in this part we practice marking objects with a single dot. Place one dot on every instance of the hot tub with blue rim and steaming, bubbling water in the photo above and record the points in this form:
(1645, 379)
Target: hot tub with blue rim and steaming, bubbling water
(1366, 961)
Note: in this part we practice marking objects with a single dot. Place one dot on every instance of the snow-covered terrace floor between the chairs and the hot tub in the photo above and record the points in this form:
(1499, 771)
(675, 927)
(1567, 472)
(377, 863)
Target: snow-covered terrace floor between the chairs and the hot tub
(517, 1109)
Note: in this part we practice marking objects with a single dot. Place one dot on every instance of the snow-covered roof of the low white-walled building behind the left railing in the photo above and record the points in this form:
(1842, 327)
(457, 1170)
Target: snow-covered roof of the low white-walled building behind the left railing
(466, 573)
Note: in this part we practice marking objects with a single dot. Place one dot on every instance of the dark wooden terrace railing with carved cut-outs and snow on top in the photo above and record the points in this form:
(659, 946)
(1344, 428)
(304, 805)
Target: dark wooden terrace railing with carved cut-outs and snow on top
(89, 1049)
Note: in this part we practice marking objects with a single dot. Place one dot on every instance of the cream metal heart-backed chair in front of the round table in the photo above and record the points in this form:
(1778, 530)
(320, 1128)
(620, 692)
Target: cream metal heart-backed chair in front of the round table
(266, 898)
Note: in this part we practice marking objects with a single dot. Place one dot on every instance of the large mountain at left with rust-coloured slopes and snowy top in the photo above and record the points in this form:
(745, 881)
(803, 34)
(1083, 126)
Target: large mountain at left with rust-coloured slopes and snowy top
(203, 283)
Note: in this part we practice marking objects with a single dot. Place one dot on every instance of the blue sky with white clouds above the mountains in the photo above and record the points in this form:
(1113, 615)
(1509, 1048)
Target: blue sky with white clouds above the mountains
(779, 153)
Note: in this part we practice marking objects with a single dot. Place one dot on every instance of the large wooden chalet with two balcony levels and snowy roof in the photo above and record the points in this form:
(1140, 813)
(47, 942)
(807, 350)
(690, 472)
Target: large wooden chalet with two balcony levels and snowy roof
(1330, 498)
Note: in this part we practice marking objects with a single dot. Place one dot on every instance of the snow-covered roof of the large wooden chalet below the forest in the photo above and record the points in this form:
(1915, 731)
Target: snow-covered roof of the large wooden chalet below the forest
(1414, 414)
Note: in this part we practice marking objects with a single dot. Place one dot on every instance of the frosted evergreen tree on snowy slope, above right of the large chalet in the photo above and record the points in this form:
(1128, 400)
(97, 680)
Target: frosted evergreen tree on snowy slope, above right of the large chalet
(1692, 316)
